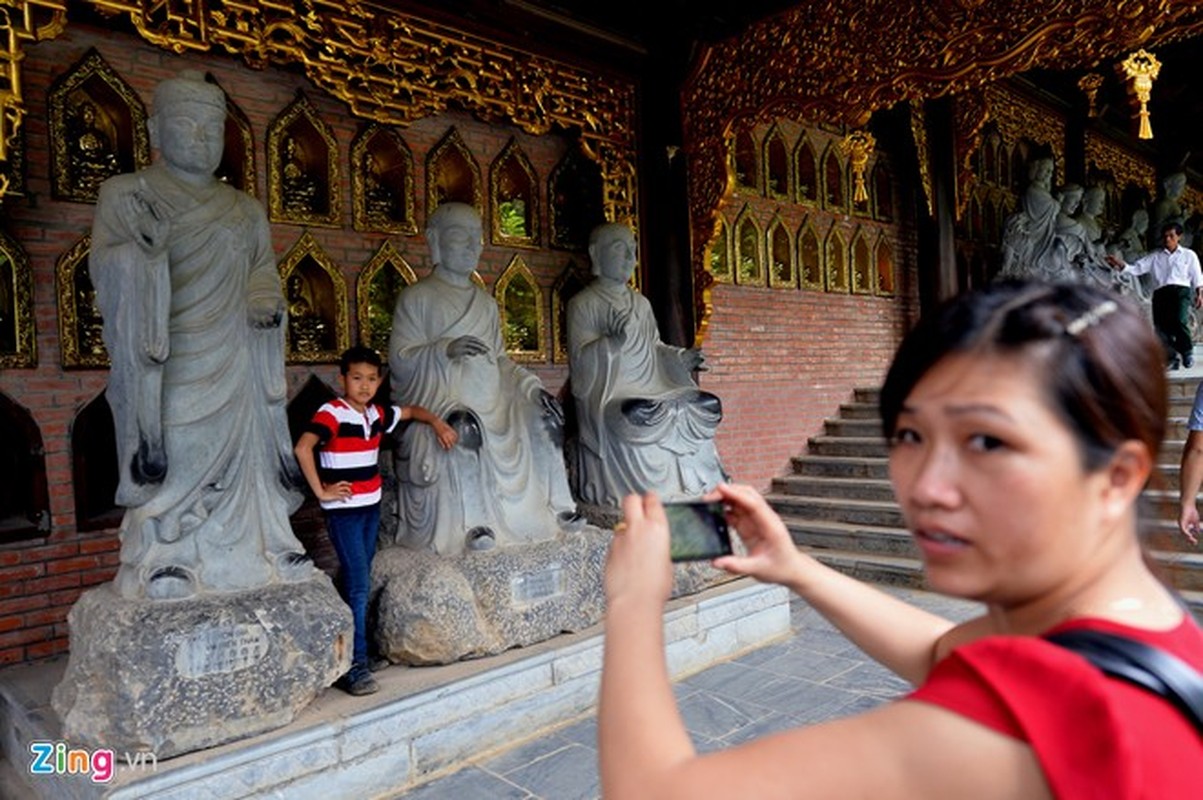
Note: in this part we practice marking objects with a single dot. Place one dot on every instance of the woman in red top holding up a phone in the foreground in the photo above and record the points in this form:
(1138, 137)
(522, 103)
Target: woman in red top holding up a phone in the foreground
(1024, 422)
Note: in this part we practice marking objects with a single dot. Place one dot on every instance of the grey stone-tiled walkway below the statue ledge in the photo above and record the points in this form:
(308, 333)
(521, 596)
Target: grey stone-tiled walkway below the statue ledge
(814, 675)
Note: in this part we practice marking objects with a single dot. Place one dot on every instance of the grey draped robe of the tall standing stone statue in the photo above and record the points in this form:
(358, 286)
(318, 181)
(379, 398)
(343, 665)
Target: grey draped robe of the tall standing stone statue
(198, 390)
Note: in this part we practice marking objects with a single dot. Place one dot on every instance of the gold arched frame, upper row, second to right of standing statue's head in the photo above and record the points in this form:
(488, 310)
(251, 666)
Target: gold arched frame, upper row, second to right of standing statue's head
(322, 156)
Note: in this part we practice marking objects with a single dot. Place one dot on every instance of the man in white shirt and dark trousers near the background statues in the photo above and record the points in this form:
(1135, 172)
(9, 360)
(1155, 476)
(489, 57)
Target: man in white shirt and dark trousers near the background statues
(1178, 283)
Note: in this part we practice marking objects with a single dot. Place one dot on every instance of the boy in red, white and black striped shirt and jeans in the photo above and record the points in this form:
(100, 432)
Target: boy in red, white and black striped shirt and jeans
(347, 432)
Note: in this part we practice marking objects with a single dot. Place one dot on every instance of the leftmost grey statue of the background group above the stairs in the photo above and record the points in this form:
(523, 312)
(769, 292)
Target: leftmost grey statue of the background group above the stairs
(1030, 234)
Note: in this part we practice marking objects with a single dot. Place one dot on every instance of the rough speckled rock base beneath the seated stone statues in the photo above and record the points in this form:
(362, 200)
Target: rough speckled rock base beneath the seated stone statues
(441, 609)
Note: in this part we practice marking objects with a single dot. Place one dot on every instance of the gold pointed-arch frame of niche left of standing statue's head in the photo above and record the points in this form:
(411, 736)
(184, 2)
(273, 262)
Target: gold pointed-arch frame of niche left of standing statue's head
(118, 109)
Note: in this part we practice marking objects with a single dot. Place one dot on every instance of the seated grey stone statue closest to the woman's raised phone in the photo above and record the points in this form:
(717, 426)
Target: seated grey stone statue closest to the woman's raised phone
(644, 424)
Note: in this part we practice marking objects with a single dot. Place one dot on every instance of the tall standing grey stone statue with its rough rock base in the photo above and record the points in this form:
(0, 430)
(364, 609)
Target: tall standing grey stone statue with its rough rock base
(194, 324)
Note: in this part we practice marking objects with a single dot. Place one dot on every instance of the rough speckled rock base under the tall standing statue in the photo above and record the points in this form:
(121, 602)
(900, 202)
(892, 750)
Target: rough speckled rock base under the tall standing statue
(175, 677)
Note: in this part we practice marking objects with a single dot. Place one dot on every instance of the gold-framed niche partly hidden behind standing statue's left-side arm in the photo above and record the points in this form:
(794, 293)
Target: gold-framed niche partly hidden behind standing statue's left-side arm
(80, 323)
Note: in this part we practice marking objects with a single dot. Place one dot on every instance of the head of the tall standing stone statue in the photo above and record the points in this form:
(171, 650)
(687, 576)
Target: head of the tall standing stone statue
(188, 125)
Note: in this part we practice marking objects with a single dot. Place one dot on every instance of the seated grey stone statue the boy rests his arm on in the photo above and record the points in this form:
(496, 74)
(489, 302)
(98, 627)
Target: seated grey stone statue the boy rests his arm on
(505, 483)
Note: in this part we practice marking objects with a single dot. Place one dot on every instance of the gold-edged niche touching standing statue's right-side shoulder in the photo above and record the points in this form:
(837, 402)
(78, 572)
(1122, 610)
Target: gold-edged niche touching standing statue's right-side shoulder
(316, 294)
